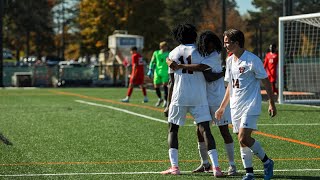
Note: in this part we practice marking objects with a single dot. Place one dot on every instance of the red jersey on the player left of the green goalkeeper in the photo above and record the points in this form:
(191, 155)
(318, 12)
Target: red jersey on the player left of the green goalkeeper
(137, 69)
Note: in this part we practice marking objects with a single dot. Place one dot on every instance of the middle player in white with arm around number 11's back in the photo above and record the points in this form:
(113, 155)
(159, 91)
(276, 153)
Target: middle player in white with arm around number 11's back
(209, 47)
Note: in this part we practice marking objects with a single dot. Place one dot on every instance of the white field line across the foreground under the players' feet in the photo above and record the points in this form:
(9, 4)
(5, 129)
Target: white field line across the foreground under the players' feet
(131, 173)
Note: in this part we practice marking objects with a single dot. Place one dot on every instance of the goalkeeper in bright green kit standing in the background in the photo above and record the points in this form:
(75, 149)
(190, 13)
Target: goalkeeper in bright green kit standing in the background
(159, 69)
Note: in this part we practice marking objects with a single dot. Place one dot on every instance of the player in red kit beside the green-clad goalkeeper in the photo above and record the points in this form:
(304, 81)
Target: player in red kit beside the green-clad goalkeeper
(137, 75)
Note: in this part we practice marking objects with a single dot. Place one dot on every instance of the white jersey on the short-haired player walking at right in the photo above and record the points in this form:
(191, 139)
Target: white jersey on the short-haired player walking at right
(244, 78)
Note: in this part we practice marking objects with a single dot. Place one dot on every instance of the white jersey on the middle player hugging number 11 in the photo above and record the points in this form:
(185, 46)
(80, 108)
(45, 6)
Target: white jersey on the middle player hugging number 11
(215, 89)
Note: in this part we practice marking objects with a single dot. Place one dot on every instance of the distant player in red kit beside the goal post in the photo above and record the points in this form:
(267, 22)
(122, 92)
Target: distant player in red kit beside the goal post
(270, 65)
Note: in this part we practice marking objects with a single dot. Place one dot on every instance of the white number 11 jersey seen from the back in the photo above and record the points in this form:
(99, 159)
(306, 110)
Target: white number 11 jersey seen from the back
(189, 86)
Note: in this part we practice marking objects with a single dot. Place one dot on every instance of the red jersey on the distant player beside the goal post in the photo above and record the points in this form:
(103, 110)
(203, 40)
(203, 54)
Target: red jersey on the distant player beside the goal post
(271, 64)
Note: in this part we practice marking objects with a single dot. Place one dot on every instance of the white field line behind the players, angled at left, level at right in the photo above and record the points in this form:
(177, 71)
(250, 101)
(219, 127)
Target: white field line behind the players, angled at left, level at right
(165, 121)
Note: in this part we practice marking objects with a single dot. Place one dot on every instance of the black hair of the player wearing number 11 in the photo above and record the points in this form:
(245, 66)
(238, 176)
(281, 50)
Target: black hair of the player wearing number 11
(185, 33)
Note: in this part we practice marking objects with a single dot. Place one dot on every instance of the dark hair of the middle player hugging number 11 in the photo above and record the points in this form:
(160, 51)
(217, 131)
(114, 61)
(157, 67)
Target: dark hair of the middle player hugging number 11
(205, 39)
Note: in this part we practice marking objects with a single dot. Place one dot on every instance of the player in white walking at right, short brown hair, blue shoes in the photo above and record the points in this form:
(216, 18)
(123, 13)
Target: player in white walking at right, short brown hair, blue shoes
(244, 72)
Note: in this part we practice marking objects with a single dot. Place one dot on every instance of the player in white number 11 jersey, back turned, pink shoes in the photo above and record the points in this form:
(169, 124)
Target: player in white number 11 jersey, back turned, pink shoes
(187, 93)
